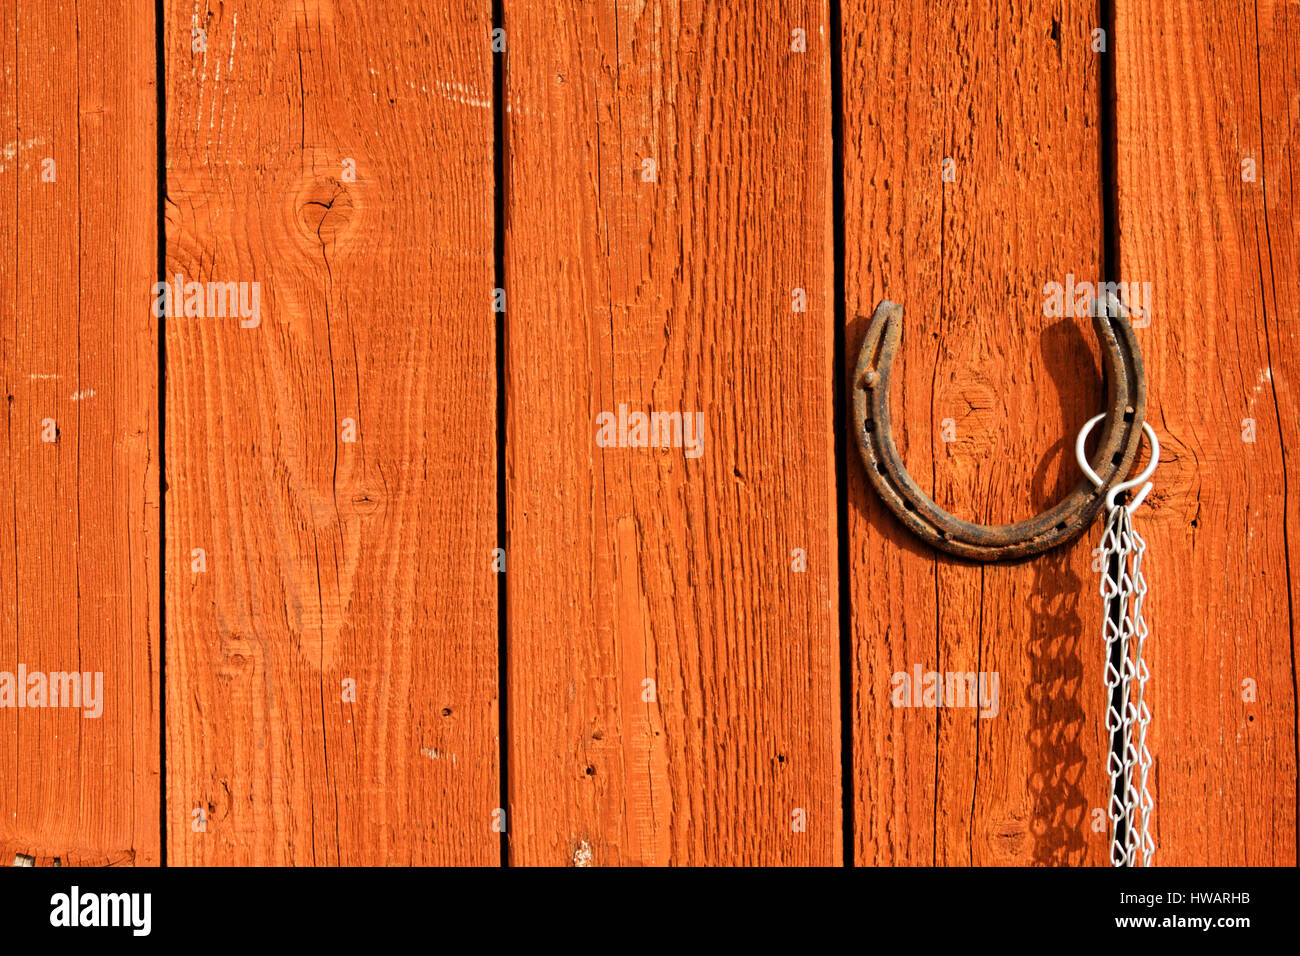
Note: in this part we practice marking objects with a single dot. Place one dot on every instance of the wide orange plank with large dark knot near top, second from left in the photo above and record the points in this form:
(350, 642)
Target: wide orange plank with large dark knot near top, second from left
(336, 460)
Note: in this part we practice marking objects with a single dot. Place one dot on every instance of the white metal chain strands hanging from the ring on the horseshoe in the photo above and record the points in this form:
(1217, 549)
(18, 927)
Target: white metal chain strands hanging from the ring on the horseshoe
(1128, 713)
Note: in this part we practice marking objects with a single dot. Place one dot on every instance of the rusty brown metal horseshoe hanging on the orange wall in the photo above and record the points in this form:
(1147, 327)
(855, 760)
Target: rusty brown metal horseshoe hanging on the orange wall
(1121, 436)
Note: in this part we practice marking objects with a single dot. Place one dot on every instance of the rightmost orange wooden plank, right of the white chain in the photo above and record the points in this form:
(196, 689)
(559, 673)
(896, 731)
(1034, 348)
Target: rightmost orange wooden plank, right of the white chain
(1208, 106)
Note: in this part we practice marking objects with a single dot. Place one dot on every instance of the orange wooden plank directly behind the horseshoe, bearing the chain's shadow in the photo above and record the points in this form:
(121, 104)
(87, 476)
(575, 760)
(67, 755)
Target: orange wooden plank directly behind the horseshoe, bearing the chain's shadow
(989, 399)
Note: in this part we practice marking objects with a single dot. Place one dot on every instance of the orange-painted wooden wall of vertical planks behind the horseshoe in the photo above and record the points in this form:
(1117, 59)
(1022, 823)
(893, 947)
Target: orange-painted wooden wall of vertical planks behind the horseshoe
(479, 230)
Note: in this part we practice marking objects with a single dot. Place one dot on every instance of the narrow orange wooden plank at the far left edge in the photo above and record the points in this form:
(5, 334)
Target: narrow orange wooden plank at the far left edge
(79, 364)
